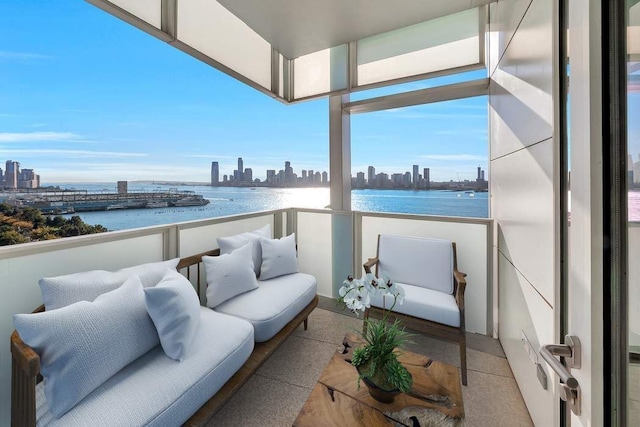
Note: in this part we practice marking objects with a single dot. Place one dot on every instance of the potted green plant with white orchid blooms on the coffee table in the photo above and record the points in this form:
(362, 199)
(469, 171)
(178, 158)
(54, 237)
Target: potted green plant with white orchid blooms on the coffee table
(377, 362)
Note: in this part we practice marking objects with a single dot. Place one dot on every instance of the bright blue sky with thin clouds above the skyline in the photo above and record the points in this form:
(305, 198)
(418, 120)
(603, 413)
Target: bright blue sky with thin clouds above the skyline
(87, 97)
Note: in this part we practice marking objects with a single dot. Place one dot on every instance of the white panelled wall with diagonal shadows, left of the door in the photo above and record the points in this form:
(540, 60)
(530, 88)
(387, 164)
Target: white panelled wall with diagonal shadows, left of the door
(523, 156)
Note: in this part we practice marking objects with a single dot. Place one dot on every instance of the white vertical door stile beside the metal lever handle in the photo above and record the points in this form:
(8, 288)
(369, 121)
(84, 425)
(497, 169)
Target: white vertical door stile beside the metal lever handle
(583, 305)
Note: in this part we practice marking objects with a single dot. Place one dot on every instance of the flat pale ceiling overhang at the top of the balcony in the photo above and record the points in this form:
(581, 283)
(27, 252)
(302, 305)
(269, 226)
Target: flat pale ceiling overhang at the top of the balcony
(299, 27)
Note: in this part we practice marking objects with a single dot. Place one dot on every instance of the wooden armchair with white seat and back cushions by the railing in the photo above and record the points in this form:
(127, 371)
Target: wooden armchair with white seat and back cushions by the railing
(427, 269)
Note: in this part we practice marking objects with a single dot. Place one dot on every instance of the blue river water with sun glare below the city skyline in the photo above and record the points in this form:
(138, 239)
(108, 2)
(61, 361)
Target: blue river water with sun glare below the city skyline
(232, 200)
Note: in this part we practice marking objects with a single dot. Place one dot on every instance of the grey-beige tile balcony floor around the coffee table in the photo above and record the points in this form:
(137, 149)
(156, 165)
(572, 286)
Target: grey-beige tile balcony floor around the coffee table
(277, 392)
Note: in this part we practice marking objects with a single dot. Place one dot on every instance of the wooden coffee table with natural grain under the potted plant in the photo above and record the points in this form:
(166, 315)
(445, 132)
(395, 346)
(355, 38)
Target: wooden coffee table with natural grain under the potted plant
(435, 399)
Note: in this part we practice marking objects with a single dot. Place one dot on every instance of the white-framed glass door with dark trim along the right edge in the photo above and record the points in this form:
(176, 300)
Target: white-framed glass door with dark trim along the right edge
(594, 278)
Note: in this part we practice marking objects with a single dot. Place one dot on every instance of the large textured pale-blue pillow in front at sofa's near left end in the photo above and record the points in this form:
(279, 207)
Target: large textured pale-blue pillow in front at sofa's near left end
(86, 343)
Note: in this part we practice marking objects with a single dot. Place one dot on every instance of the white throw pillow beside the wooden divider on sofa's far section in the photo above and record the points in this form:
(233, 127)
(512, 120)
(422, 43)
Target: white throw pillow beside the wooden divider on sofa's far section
(229, 275)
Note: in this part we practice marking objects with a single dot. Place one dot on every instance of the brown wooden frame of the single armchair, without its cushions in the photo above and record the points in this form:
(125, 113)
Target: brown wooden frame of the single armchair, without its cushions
(439, 330)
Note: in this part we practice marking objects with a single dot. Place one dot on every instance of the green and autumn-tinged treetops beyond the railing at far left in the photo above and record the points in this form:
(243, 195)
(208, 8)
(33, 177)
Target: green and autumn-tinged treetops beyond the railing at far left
(22, 225)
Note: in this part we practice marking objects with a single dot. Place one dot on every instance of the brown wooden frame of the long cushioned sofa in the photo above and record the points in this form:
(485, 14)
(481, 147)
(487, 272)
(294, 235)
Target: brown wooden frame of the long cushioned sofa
(26, 363)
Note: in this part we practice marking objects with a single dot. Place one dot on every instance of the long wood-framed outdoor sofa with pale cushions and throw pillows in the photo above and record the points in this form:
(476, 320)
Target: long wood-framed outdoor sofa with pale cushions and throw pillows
(185, 375)
